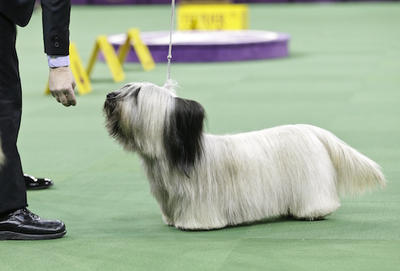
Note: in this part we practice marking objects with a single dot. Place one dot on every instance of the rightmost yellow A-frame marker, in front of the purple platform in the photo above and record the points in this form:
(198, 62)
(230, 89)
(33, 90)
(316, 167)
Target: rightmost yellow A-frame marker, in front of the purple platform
(142, 51)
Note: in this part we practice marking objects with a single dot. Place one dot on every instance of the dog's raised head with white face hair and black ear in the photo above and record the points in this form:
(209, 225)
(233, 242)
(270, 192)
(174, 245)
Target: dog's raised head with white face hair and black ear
(153, 121)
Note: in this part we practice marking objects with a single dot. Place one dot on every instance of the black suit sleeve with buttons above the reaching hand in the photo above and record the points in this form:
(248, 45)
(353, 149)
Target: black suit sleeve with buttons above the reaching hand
(55, 19)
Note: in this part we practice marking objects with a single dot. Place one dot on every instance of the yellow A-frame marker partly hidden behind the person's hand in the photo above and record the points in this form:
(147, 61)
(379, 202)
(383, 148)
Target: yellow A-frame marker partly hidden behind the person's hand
(81, 78)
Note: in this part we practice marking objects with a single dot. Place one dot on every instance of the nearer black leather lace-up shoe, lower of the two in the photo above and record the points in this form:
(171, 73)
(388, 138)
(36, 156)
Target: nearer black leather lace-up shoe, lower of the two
(22, 224)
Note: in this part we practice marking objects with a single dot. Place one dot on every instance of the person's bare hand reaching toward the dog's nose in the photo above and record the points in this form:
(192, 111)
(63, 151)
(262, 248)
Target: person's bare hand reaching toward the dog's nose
(61, 85)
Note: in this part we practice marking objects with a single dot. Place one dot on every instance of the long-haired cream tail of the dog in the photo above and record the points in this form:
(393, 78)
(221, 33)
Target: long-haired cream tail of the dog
(356, 173)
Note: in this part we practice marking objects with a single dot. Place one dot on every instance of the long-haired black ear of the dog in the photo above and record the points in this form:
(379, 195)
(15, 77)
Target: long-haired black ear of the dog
(183, 134)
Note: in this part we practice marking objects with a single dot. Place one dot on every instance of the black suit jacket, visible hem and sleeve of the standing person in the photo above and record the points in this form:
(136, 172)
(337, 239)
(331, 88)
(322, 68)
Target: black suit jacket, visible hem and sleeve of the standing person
(55, 19)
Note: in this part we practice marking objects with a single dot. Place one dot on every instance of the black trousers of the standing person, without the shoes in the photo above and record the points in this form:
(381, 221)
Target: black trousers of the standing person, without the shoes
(12, 186)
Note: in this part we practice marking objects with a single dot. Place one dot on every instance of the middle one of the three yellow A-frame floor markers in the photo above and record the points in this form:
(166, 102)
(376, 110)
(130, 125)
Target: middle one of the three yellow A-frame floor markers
(110, 58)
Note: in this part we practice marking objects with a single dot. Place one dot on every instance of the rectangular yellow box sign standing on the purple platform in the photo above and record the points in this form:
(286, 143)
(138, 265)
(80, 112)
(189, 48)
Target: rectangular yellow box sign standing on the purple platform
(213, 17)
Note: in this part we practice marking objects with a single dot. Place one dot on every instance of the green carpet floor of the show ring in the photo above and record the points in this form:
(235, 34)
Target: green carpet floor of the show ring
(343, 75)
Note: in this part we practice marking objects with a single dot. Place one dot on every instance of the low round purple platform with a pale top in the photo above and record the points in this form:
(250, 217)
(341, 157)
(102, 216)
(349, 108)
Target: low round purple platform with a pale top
(211, 46)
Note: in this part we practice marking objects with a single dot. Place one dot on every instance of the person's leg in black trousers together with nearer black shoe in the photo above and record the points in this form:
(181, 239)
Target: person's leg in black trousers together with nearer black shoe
(16, 222)
